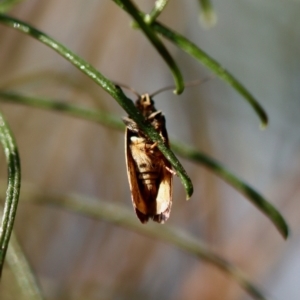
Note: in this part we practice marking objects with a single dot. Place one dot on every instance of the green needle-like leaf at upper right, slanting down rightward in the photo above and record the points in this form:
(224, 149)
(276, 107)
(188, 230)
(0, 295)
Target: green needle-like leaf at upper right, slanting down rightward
(190, 48)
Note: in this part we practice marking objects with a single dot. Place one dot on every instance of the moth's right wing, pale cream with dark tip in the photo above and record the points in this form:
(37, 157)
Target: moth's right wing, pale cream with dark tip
(164, 195)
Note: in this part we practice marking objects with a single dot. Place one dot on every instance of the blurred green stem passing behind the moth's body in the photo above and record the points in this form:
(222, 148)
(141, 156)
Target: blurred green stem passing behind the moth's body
(181, 149)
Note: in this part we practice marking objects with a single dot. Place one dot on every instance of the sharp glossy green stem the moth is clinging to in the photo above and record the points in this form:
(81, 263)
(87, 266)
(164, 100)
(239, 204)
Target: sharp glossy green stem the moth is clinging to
(110, 88)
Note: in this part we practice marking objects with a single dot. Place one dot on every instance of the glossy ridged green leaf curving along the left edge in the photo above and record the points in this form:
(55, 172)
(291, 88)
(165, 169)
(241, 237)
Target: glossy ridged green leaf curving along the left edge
(13, 187)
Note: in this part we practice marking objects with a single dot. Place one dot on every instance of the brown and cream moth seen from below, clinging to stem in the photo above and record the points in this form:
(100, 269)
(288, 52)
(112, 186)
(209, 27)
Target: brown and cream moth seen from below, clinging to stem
(149, 172)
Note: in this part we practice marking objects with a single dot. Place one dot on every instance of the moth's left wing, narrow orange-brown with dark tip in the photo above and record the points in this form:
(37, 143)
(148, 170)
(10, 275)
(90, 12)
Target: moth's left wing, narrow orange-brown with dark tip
(136, 197)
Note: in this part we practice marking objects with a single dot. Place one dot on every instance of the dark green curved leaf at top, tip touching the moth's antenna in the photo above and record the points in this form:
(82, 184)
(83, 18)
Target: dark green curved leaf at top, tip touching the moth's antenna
(129, 7)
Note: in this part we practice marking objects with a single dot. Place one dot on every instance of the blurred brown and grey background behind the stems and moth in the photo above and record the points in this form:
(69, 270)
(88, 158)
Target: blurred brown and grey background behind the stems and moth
(75, 257)
